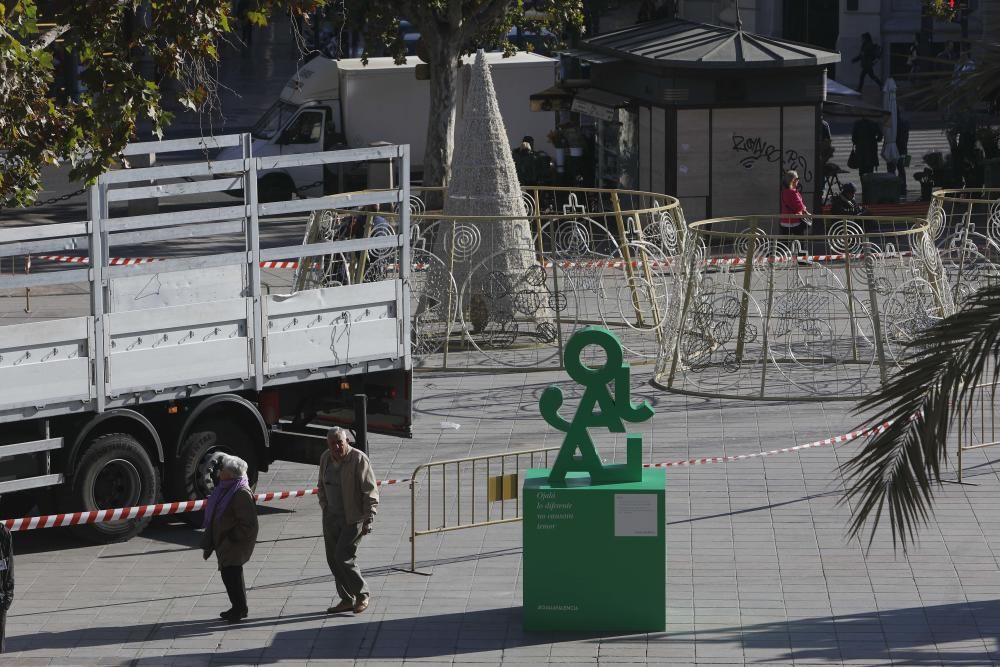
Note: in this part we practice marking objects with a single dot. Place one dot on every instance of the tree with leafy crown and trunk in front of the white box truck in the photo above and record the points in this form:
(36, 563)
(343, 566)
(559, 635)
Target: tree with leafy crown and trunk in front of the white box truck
(450, 29)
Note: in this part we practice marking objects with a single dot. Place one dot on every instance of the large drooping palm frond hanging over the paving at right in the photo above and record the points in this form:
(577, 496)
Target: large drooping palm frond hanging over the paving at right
(900, 464)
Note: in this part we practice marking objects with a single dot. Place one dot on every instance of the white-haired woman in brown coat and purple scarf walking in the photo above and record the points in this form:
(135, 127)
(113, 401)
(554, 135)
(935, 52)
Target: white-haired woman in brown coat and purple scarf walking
(231, 525)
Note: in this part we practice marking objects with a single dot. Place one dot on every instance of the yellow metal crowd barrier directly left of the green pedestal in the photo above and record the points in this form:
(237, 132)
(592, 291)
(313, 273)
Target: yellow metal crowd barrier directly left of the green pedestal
(480, 483)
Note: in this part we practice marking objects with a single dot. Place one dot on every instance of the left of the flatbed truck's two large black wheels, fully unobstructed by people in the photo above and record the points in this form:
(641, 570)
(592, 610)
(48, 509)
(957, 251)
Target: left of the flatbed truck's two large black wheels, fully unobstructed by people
(113, 471)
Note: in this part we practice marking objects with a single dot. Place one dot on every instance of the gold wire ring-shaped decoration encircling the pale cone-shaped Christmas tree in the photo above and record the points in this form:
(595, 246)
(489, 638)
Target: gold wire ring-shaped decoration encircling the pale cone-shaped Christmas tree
(578, 256)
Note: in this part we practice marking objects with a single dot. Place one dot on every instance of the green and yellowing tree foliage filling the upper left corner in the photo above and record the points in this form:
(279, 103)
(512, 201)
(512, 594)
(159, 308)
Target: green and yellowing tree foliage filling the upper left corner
(109, 39)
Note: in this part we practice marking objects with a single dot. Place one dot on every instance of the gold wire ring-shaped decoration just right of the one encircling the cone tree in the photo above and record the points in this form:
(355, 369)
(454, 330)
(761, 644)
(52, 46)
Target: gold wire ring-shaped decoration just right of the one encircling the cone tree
(767, 312)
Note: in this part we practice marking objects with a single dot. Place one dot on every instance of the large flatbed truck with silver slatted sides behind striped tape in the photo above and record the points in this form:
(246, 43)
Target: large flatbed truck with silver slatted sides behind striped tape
(129, 392)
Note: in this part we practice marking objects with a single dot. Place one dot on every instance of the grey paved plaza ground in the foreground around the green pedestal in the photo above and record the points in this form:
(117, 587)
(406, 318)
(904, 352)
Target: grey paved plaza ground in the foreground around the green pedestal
(759, 570)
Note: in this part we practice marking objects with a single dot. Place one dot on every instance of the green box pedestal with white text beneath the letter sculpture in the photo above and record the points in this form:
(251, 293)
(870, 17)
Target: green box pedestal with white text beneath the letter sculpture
(595, 557)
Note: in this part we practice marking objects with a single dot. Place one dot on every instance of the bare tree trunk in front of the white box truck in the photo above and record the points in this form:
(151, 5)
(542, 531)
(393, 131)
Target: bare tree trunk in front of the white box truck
(444, 59)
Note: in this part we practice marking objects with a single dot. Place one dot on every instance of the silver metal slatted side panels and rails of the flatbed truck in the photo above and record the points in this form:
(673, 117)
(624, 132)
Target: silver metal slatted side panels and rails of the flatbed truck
(199, 320)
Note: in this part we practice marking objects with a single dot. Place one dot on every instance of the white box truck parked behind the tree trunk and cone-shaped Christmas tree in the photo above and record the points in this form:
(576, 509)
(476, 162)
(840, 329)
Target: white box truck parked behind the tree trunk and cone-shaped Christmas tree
(331, 103)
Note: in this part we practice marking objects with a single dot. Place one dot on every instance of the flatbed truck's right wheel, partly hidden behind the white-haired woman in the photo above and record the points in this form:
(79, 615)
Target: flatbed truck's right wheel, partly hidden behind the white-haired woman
(207, 441)
